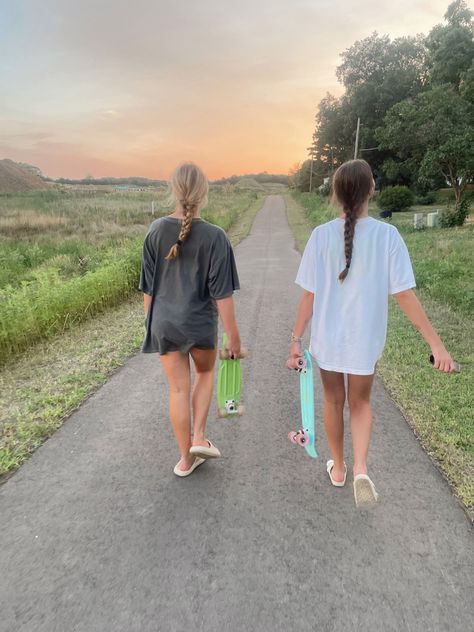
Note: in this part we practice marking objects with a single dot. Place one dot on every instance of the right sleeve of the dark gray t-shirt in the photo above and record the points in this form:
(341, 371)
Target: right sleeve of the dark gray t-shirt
(223, 278)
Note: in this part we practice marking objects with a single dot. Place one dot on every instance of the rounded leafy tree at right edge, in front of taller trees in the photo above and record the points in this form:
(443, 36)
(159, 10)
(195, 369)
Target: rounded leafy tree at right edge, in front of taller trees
(433, 134)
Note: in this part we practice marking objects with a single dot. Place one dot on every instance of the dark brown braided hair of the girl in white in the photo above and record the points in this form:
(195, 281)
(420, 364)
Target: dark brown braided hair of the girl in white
(352, 185)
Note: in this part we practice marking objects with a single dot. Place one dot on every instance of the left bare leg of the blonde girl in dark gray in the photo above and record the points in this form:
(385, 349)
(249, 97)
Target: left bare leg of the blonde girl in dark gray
(177, 370)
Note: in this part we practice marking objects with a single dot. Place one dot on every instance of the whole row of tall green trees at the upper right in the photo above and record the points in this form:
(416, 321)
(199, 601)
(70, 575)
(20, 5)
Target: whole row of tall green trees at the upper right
(414, 97)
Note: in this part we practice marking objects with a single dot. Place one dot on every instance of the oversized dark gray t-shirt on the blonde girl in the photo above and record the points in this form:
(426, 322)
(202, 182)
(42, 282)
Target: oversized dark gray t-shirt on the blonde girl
(183, 312)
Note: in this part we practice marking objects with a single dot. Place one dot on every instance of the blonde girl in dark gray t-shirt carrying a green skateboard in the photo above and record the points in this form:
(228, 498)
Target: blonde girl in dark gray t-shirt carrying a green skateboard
(188, 277)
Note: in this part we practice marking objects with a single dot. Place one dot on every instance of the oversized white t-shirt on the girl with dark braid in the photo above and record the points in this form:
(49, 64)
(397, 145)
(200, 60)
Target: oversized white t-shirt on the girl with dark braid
(349, 323)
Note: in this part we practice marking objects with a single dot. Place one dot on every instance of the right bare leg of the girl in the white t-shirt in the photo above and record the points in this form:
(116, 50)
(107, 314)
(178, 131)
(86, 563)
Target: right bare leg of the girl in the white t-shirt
(359, 389)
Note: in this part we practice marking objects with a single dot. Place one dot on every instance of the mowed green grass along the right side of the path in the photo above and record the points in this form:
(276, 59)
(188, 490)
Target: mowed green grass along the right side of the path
(439, 407)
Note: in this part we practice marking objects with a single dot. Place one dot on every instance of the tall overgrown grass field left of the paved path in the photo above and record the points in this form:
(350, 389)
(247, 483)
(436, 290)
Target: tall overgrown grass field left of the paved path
(68, 254)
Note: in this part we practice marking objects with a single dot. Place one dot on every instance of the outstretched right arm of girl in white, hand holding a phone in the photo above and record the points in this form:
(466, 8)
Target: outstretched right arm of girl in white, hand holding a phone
(413, 309)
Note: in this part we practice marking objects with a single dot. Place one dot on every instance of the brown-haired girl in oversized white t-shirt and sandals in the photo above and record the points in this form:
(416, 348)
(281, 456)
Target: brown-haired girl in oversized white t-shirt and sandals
(349, 267)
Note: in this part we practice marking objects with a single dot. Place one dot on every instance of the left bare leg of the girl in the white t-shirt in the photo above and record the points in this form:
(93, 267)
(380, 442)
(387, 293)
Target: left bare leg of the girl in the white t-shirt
(334, 398)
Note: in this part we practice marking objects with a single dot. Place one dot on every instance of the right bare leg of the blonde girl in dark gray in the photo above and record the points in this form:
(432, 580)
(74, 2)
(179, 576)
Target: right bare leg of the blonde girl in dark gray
(204, 360)
